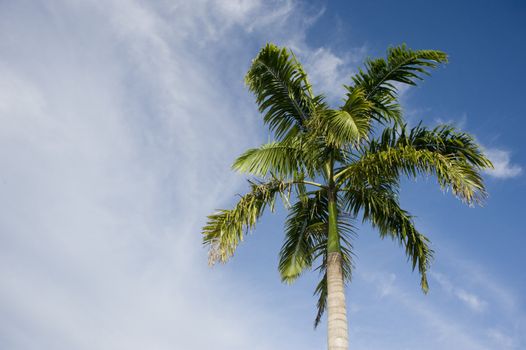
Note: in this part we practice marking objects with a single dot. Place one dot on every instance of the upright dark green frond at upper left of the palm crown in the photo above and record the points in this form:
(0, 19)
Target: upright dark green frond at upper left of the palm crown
(283, 92)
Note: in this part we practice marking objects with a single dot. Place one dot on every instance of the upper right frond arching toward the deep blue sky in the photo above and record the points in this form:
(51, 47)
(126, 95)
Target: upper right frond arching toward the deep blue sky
(379, 79)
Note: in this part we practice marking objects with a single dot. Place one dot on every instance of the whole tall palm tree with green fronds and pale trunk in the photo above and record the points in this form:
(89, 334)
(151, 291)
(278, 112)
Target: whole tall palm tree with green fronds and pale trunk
(340, 165)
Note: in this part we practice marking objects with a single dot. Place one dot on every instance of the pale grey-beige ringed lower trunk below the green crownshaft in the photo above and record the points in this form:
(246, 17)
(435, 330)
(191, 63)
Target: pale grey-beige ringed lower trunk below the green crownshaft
(336, 307)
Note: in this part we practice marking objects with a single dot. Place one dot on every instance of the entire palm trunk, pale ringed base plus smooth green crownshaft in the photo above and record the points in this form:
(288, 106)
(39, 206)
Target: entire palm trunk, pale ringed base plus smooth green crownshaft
(336, 307)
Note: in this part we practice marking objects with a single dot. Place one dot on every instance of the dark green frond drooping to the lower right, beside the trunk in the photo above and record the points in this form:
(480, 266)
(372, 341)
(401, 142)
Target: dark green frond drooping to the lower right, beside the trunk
(379, 205)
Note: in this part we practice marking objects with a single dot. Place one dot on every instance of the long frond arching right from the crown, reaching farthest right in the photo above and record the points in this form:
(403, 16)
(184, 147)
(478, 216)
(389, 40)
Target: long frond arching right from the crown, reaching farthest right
(452, 156)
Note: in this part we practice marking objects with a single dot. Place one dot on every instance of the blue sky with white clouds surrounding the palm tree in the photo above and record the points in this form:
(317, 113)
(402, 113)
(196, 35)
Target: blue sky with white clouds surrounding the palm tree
(120, 120)
